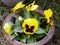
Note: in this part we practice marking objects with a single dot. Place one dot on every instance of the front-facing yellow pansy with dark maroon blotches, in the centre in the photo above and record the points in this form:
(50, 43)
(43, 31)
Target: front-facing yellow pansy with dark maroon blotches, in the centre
(30, 25)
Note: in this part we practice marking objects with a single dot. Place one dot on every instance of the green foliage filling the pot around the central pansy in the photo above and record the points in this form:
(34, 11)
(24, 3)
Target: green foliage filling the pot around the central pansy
(19, 31)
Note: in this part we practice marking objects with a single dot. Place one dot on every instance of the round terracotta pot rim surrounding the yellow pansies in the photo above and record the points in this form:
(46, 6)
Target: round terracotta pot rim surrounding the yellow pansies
(41, 42)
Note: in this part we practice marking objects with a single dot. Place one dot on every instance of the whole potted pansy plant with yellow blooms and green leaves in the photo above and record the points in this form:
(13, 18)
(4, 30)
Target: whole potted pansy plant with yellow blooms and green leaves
(27, 24)
